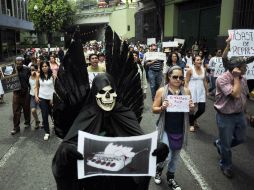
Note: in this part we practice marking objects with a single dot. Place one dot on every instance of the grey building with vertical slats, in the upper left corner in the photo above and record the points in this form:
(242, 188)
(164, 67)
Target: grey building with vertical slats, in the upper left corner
(13, 20)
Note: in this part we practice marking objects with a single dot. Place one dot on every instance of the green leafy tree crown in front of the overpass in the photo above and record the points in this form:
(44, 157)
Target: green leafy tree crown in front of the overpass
(51, 15)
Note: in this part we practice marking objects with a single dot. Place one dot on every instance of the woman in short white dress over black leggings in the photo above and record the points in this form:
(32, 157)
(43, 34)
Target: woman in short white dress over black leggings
(196, 82)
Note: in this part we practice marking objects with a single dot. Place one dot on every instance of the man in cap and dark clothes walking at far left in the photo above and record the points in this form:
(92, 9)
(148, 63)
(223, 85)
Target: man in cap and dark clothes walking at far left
(21, 98)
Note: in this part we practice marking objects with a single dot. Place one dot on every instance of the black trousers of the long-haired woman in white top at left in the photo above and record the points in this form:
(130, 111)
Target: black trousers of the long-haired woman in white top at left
(45, 112)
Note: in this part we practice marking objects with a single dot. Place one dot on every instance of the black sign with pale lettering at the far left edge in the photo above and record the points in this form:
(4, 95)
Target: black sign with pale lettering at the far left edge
(10, 80)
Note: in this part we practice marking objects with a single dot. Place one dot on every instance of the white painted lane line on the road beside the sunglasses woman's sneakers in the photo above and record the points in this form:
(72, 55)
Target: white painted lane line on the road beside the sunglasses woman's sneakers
(193, 170)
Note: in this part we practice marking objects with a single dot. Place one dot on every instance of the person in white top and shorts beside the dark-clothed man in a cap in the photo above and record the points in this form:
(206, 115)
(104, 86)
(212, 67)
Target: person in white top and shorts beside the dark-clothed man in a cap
(33, 104)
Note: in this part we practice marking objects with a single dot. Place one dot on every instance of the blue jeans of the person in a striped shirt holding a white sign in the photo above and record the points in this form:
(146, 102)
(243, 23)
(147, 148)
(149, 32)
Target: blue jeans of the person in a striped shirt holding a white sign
(155, 79)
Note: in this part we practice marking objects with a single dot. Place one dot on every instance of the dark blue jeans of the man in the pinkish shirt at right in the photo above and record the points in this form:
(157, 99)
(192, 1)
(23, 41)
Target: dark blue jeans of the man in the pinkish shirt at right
(232, 132)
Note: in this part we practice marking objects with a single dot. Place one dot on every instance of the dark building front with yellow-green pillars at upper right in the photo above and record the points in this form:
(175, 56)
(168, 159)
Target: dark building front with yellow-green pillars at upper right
(206, 21)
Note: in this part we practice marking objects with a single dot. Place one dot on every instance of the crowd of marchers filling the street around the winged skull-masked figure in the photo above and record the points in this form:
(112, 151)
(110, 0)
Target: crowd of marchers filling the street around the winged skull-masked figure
(186, 73)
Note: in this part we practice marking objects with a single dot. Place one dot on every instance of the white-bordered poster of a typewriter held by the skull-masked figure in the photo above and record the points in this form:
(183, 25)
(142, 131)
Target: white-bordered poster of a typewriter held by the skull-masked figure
(116, 156)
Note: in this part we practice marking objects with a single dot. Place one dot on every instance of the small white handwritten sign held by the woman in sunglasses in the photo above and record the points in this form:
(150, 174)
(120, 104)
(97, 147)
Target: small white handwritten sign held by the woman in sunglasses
(178, 103)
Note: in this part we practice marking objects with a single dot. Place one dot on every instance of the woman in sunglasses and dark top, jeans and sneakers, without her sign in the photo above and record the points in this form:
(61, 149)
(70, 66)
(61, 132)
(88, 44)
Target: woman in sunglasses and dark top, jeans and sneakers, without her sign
(171, 124)
